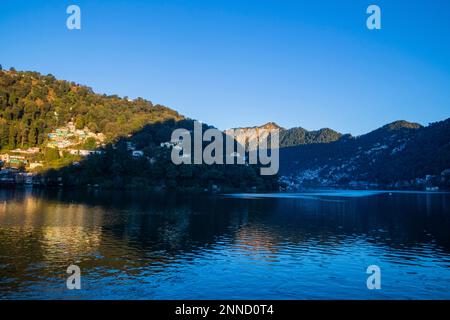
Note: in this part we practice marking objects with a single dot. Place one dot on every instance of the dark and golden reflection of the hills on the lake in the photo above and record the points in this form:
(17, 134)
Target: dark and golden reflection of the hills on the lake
(127, 233)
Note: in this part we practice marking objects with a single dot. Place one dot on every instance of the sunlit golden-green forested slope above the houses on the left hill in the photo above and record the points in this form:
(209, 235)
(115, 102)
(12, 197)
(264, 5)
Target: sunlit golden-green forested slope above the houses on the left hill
(32, 105)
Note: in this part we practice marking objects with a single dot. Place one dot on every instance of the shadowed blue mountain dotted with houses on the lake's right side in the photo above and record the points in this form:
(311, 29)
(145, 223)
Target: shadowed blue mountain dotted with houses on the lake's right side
(398, 155)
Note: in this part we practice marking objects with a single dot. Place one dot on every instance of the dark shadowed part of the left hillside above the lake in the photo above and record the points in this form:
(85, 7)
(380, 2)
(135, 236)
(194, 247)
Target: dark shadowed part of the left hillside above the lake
(142, 160)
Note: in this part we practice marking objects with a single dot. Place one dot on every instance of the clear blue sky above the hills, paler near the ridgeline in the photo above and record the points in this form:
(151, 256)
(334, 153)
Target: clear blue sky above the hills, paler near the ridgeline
(234, 63)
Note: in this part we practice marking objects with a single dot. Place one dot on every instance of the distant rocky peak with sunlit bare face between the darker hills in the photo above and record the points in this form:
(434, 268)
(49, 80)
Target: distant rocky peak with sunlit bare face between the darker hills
(288, 137)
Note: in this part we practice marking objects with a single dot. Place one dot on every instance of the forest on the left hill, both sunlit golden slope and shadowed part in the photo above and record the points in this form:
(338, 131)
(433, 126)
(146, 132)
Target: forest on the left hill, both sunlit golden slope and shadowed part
(32, 105)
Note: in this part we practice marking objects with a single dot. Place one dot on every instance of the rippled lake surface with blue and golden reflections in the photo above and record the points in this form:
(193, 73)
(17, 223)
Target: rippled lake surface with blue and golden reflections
(314, 245)
